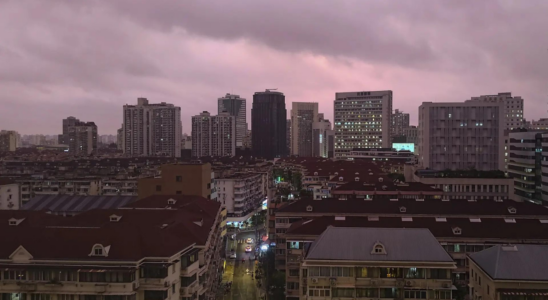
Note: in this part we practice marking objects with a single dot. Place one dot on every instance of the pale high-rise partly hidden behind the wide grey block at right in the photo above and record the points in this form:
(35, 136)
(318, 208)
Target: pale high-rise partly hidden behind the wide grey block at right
(512, 109)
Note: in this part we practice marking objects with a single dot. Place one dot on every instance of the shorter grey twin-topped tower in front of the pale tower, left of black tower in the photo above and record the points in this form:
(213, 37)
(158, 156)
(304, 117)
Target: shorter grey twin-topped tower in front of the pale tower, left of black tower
(213, 135)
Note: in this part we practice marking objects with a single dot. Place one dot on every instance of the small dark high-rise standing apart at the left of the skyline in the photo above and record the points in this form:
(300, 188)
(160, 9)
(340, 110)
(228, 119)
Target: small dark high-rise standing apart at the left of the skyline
(82, 138)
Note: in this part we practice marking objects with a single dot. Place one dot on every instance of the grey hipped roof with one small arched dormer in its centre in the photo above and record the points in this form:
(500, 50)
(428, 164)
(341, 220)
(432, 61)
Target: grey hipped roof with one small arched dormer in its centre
(356, 244)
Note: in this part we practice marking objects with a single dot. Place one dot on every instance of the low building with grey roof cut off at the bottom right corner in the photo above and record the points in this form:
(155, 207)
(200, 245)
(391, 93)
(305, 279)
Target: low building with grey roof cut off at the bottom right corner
(509, 272)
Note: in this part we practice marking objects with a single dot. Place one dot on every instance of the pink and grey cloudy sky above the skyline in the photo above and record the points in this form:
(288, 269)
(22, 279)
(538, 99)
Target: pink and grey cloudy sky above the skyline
(88, 58)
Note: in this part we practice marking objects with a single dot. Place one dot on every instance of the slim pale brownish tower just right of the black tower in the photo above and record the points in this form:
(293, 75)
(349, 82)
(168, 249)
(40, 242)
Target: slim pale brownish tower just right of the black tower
(303, 115)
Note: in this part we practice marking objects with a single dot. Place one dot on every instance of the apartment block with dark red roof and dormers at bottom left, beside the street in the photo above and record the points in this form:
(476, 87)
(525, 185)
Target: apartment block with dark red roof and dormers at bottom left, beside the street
(152, 252)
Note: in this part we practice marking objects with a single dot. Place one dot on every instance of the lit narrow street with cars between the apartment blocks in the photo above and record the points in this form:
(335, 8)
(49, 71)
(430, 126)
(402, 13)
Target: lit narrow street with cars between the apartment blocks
(239, 272)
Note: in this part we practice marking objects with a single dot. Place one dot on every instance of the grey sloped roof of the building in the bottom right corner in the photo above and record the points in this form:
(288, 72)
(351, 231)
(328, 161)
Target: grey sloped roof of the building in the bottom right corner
(516, 262)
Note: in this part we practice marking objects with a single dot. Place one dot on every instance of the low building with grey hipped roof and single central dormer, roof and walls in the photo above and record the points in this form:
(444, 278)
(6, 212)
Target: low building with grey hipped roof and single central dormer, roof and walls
(375, 263)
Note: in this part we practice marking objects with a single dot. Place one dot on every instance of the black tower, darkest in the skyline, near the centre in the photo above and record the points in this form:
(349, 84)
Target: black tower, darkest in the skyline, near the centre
(268, 124)
